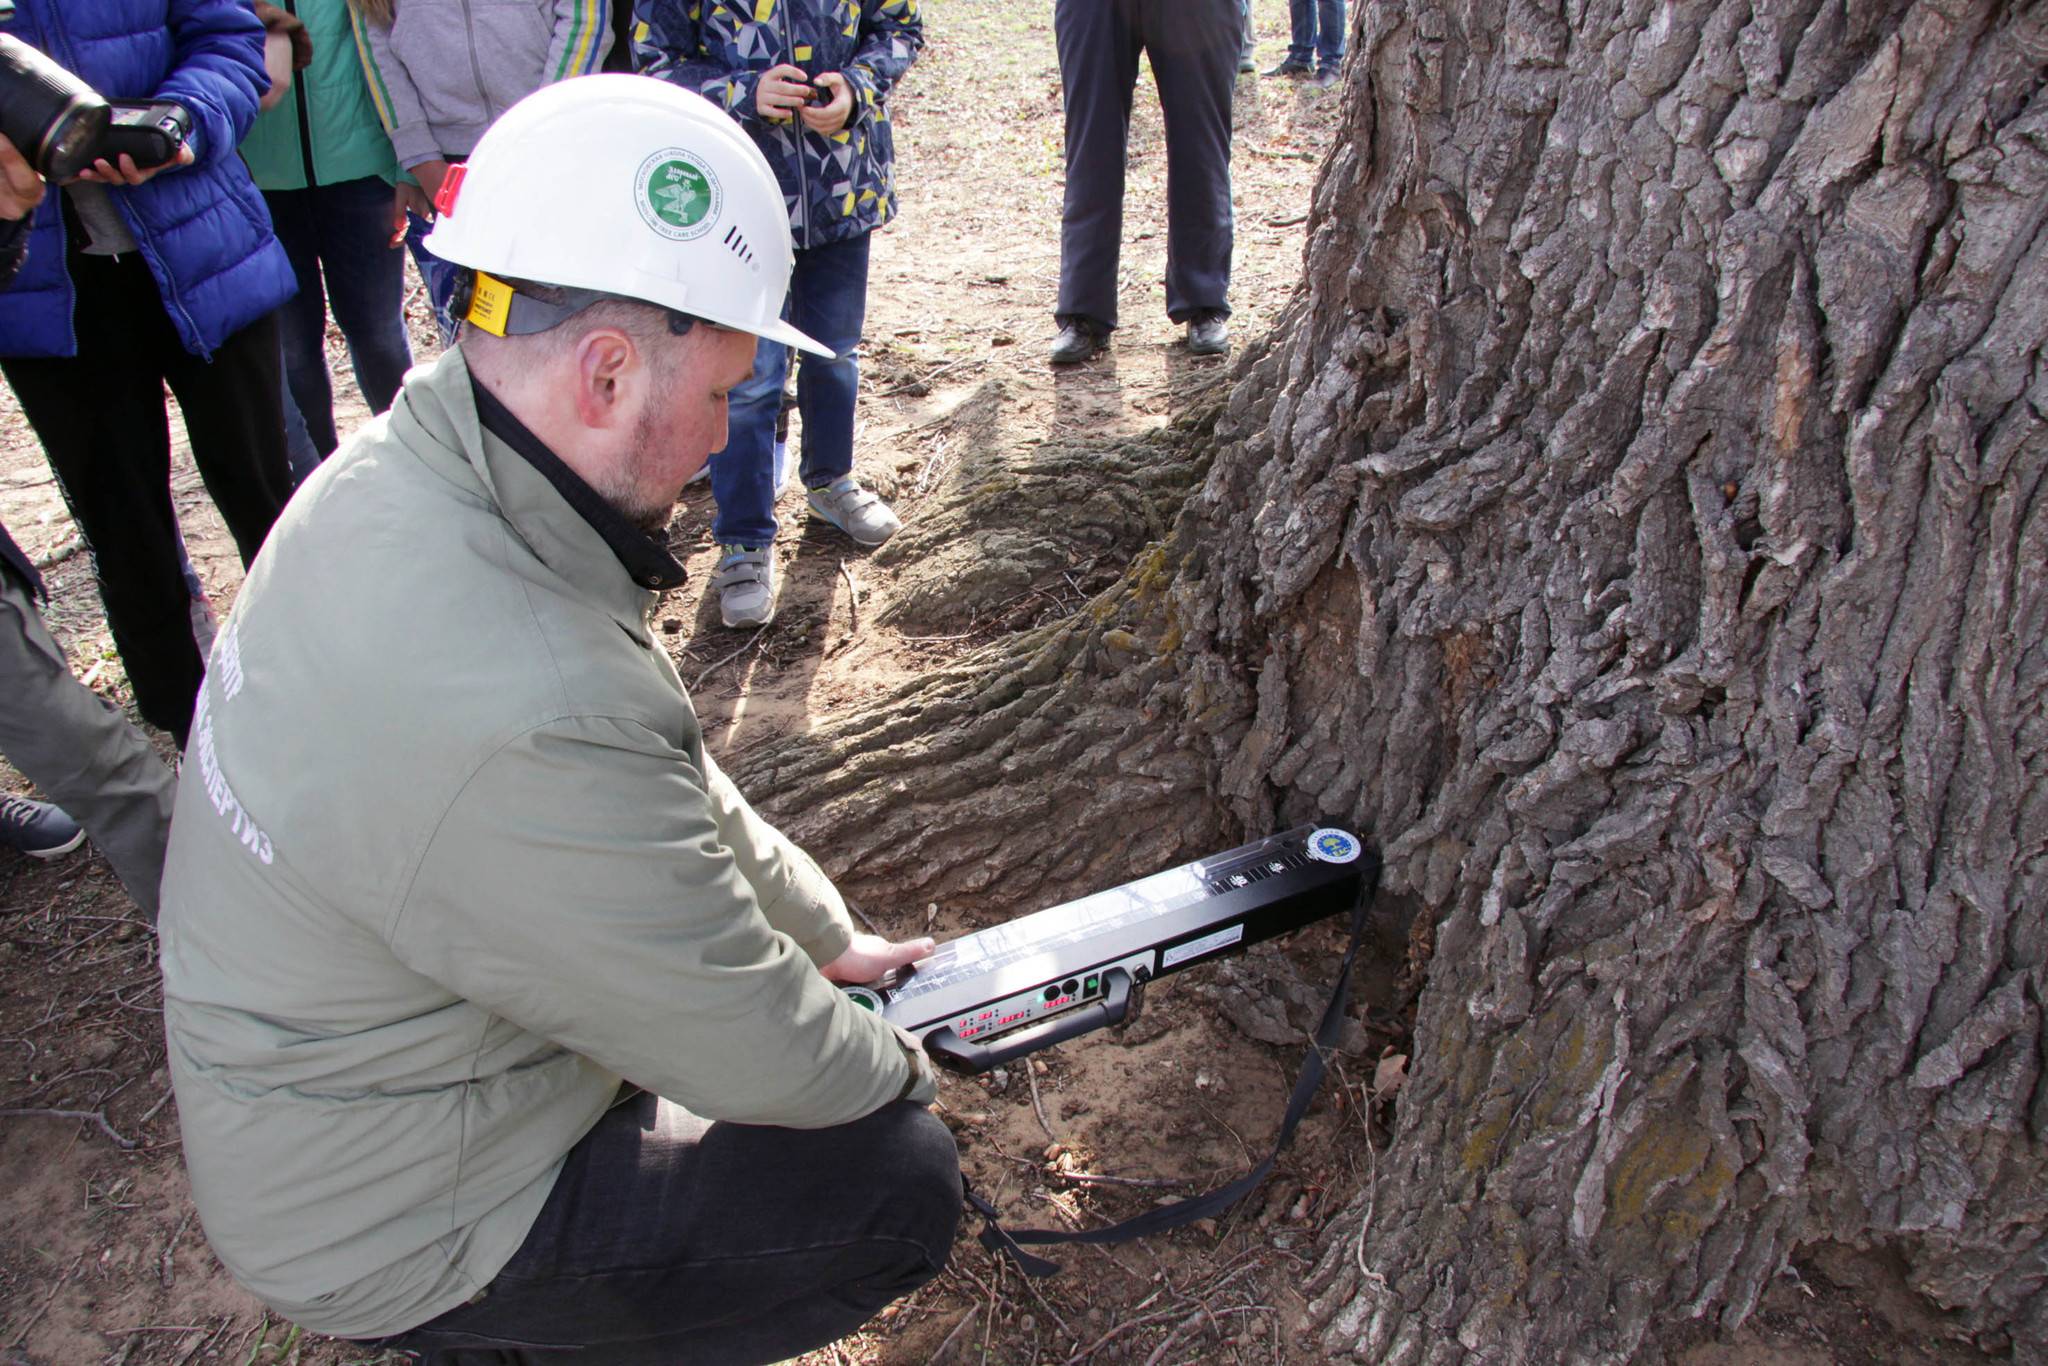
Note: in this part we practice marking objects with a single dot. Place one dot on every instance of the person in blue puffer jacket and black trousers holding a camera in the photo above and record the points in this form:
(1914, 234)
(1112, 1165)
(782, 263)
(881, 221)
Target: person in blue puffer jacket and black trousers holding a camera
(144, 273)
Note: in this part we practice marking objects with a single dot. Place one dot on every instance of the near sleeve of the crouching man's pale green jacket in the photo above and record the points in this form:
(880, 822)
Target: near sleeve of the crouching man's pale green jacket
(581, 888)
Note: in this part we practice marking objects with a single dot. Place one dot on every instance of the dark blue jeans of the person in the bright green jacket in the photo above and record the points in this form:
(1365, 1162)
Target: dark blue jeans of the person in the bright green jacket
(337, 237)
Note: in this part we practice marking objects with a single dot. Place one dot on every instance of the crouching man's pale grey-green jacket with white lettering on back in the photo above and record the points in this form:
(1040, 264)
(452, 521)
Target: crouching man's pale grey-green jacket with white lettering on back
(450, 863)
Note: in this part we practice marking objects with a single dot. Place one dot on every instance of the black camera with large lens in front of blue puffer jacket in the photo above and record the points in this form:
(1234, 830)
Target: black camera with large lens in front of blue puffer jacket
(62, 126)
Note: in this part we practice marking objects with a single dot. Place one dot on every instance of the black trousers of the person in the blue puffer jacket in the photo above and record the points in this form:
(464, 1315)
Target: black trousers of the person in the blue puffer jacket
(103, 427)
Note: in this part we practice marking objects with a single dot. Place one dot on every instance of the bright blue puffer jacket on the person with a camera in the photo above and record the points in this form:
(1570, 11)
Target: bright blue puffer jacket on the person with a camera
(202, 228)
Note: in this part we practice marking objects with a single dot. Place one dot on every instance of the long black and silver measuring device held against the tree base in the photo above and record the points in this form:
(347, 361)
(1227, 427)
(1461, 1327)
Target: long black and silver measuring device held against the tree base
(998, 994)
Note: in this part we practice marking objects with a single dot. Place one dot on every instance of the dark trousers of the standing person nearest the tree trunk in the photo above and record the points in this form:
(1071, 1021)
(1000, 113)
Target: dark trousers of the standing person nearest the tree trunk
(1193, 48)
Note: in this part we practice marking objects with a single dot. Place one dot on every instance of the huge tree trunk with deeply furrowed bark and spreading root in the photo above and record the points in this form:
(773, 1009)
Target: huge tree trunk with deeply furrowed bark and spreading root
(1639, 529)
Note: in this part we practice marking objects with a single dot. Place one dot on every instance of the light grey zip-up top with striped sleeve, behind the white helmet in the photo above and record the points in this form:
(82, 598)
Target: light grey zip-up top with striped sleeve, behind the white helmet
(447, 69)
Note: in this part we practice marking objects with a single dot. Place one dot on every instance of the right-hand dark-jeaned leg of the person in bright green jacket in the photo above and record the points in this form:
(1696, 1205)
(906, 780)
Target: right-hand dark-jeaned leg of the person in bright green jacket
(366, 284)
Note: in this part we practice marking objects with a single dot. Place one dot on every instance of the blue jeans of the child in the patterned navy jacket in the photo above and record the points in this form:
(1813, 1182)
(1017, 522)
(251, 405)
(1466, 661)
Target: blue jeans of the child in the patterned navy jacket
(828, 300)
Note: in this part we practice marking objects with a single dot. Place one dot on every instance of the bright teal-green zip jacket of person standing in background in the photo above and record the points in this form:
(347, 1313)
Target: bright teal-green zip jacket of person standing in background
(333, 103)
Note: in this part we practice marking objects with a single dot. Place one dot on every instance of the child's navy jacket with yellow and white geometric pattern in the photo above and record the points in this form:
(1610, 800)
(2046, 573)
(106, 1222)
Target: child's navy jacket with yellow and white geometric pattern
(835, 187)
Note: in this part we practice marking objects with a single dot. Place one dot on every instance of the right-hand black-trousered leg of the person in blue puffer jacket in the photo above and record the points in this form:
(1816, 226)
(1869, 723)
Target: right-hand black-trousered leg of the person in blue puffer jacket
(234, 415)
